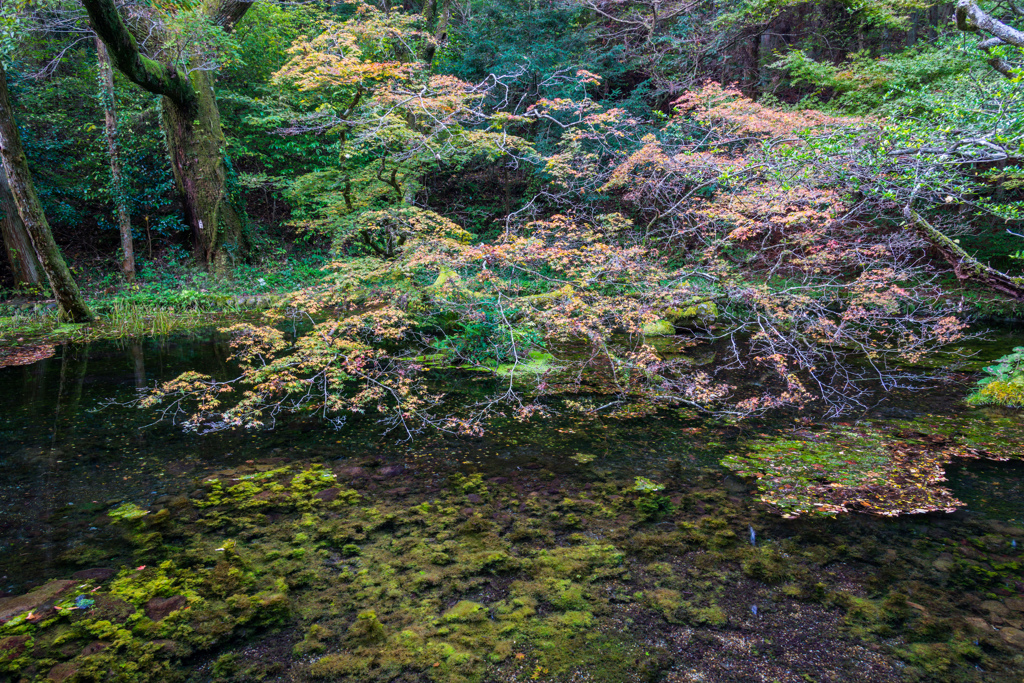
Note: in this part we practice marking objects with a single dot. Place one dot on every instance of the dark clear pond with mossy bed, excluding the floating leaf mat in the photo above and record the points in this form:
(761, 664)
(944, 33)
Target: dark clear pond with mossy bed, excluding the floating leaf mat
(567, 549)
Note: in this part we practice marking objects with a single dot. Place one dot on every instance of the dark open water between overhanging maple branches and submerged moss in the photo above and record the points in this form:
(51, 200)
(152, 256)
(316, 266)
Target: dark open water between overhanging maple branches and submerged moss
(65, 458)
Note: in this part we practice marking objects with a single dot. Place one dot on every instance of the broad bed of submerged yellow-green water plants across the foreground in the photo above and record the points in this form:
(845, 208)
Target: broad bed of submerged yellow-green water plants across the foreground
(275, 571)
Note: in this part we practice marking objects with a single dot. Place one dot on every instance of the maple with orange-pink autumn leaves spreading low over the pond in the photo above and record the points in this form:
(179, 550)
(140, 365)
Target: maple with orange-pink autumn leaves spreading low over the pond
(571, 295)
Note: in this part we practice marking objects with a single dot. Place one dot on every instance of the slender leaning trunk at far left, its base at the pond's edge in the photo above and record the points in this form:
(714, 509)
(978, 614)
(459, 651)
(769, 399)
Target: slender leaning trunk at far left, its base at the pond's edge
(20, 180)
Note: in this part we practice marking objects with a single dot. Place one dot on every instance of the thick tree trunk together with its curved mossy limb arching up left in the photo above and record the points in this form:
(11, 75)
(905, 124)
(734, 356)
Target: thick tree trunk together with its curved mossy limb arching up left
(192, 125)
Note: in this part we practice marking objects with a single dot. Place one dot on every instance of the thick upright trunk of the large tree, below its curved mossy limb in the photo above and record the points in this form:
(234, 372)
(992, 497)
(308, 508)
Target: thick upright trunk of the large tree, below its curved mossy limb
(197, 145)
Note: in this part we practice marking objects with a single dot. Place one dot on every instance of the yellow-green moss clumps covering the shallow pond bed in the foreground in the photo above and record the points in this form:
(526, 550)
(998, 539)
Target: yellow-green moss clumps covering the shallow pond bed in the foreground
(412, 590)
